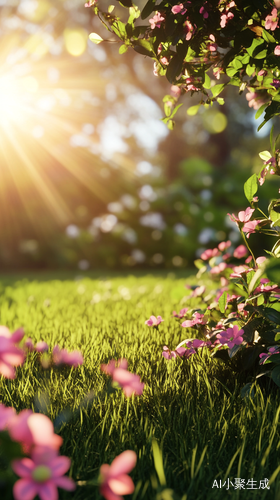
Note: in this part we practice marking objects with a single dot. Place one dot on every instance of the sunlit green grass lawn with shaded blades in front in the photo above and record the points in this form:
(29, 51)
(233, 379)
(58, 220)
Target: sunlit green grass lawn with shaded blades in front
(193, 408)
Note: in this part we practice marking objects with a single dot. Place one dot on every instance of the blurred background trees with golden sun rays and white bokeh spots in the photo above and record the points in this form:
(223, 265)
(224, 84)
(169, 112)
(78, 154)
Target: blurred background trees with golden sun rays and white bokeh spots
(90, 176)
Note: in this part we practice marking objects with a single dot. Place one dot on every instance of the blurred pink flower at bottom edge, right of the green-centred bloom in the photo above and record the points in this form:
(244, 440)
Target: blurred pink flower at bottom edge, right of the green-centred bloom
(114, 478)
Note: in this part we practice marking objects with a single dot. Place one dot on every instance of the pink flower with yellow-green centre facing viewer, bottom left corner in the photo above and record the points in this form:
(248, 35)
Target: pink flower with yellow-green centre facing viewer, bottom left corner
(41, 475)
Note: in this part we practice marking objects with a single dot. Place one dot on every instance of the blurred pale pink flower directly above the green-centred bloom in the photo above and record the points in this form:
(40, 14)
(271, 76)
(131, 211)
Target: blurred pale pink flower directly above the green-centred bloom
(33, 429)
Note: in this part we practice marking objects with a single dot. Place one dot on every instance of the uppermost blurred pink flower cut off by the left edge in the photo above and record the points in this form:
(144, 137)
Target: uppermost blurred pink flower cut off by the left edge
(10, 354)
